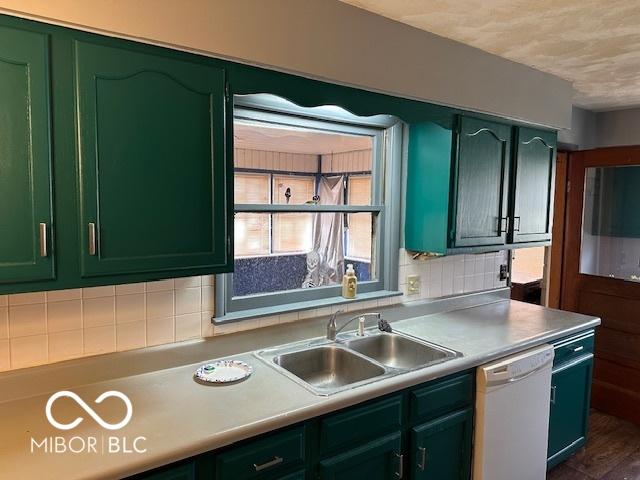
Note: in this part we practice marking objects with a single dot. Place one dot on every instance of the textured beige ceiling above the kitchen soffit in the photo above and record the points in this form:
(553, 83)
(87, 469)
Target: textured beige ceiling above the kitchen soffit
(593, 43)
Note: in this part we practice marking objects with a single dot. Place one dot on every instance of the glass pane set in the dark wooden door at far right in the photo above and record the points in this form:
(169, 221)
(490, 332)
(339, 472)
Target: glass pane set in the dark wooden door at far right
(611, 224)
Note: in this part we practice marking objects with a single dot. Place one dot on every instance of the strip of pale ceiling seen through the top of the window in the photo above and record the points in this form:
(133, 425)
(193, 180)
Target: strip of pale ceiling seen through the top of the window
(255, 136)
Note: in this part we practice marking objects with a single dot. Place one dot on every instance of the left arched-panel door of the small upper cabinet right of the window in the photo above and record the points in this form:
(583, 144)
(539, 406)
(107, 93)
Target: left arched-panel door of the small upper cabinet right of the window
(479, 214)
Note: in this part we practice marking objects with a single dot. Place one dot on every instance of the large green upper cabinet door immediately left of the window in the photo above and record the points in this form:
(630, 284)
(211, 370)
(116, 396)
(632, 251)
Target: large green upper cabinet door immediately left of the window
(152, 166)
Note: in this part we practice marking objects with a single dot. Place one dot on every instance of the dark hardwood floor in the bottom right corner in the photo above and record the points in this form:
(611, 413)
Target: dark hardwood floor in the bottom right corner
(612, 452)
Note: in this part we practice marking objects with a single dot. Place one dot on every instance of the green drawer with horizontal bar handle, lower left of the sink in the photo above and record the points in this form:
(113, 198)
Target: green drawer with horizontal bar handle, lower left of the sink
(267, 455)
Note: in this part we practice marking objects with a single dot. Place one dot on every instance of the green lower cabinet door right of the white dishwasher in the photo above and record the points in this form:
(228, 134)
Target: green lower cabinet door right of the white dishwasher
(568, 418)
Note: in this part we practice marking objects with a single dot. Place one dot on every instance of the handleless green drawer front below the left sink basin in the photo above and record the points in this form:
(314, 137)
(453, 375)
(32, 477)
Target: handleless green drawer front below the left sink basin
(360, 424)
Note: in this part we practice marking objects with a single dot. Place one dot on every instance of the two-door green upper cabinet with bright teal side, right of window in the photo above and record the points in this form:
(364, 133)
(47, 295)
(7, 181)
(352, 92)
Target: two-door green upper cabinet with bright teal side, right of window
(468, 190)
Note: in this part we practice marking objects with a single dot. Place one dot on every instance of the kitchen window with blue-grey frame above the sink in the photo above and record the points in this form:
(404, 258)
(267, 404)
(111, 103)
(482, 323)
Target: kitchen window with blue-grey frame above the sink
(314, 189)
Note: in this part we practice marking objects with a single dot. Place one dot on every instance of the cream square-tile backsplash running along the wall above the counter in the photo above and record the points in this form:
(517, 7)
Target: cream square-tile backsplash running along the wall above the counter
(37, 328)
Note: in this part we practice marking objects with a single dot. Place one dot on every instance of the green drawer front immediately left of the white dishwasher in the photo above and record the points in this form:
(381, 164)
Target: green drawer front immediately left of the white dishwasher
(441, 397)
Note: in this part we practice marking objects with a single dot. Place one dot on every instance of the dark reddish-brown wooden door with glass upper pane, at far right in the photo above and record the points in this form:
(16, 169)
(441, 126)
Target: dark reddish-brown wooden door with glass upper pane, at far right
(616, 384)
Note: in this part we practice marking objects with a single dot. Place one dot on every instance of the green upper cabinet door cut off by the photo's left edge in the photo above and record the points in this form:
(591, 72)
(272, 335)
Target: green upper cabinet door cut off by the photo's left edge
(25, 158)
